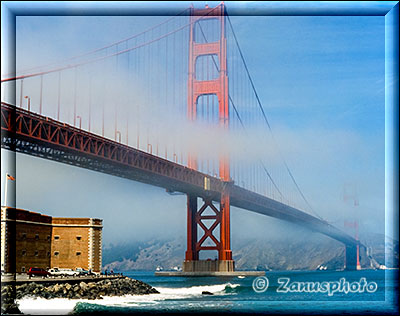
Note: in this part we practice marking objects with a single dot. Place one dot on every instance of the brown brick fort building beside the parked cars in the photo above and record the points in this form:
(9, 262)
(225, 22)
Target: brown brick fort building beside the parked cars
(31, 239)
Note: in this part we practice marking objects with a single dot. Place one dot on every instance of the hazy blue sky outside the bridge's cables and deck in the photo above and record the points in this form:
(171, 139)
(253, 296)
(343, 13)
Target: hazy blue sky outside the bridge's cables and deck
(320, 79)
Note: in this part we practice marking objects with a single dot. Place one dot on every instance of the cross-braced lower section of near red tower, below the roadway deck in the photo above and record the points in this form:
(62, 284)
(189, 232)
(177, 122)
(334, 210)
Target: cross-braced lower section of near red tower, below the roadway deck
(195, 244)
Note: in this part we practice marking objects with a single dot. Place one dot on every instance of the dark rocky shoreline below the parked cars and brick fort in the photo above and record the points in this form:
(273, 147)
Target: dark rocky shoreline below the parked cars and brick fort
(83, 290)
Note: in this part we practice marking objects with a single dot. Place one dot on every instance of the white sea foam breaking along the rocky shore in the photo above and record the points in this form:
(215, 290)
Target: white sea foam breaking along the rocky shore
(63, 306)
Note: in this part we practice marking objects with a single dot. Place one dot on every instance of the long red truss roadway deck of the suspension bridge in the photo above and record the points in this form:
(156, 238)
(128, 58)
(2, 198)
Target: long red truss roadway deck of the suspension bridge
(35, 135)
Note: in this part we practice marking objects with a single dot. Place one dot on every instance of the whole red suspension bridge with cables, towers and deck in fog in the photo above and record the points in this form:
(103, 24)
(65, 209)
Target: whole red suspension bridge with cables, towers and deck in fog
(174, 106)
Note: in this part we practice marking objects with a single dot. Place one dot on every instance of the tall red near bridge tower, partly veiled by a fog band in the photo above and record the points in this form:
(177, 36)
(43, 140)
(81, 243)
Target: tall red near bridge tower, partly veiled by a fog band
(197, 88)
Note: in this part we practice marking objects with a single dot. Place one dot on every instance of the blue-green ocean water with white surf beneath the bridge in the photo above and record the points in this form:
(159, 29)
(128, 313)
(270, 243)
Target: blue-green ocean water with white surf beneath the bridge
(238, 295)
